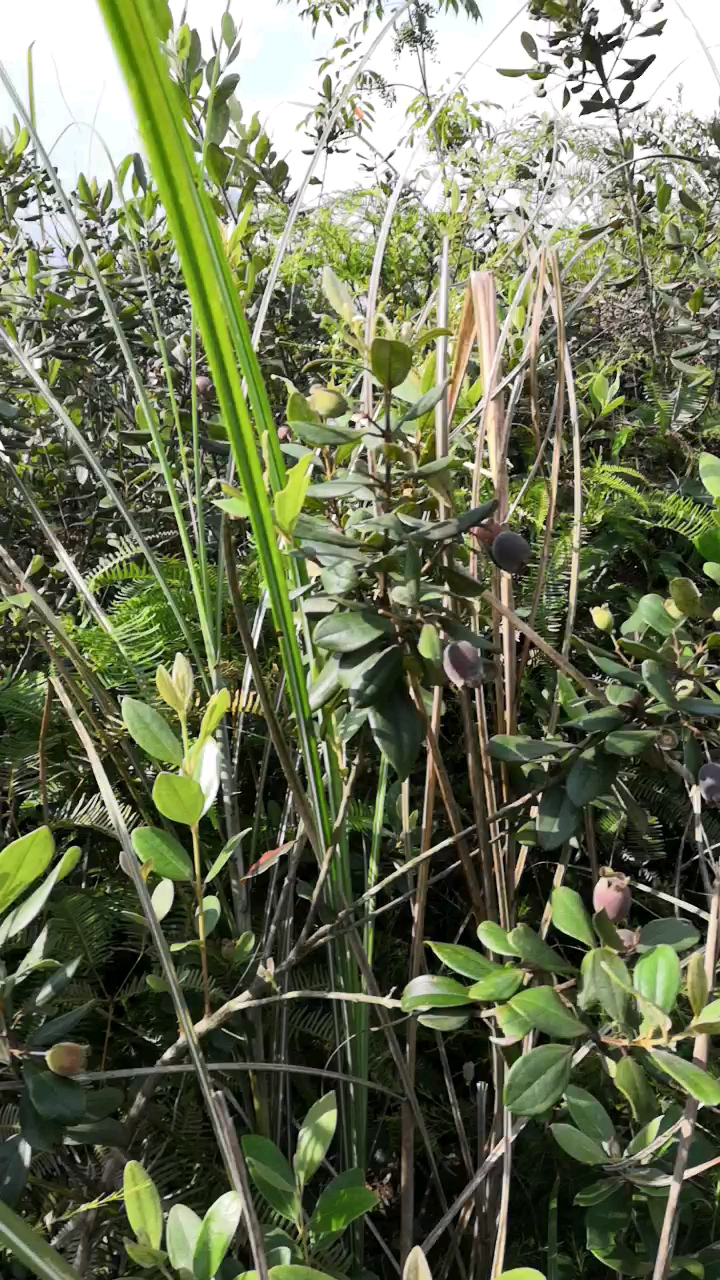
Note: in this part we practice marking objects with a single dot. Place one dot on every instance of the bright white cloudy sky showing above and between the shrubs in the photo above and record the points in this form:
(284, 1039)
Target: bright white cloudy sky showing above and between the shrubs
(79, 85)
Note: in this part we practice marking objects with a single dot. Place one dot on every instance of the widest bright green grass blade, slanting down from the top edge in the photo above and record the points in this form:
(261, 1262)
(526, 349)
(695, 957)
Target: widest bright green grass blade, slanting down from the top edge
(134, 28)
